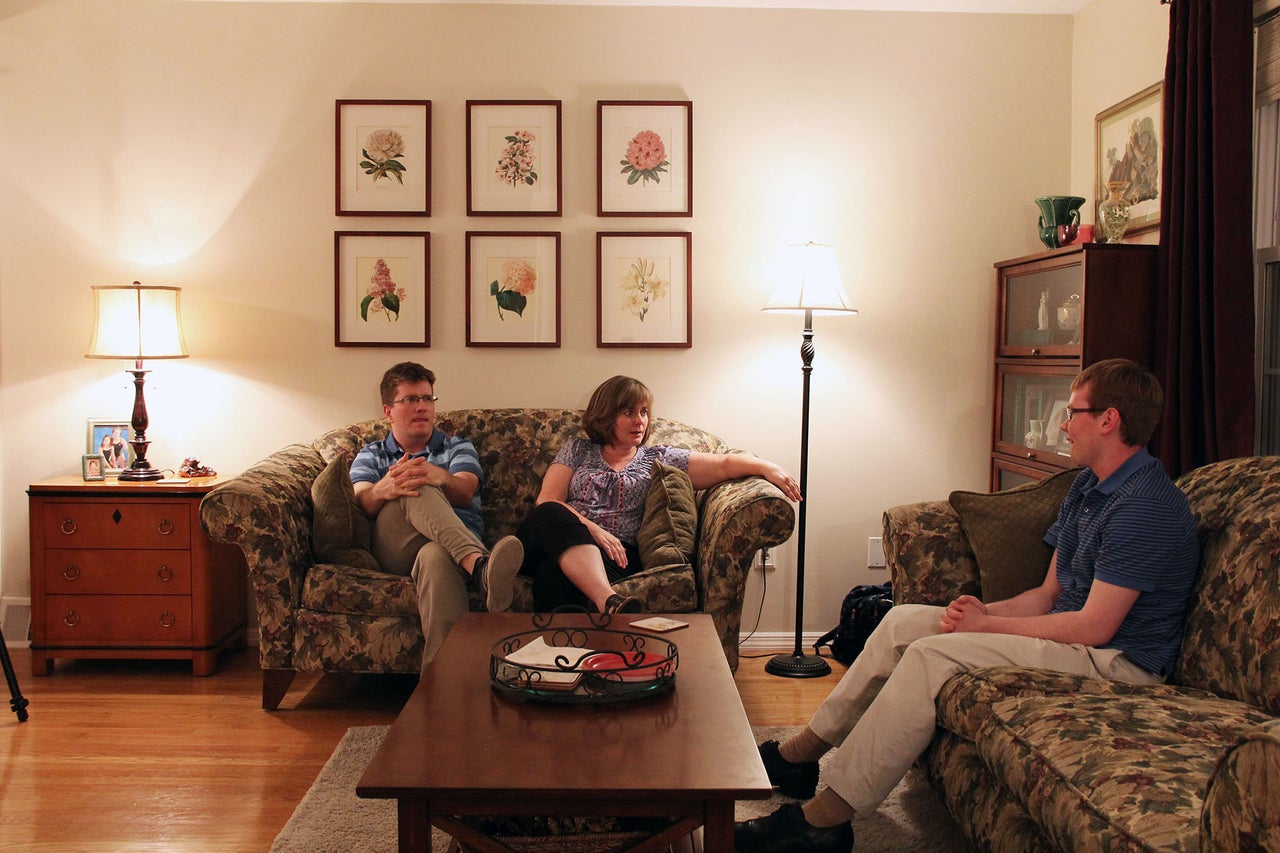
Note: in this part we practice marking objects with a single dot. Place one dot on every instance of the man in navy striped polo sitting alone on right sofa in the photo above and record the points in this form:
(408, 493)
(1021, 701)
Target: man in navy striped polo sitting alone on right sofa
(1126, 558)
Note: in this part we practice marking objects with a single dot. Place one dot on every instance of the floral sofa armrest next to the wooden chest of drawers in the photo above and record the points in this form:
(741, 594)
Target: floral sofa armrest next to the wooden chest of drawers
(267, 512)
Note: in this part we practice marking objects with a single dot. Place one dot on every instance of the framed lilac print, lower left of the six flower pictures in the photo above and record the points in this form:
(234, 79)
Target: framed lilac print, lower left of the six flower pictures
(382, 289)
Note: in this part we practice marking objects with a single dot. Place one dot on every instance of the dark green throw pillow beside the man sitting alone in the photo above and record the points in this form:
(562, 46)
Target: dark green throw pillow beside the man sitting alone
(1007, 531)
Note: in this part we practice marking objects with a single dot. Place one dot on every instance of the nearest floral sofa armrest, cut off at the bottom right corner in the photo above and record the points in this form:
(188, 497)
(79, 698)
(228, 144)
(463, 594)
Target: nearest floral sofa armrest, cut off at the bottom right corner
(1242, 801)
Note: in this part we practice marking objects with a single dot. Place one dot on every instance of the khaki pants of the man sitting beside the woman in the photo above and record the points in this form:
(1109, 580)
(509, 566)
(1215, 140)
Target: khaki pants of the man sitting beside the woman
(426, 539)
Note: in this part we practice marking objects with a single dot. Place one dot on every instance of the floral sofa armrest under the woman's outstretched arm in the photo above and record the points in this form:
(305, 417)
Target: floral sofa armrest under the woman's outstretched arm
(735, 521)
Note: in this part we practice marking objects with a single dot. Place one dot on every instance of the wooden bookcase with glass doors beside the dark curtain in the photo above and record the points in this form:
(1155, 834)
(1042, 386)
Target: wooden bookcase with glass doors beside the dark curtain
(1058, 313)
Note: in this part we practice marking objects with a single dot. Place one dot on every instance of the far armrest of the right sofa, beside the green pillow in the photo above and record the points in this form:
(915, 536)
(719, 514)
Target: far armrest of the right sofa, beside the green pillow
(929, 555)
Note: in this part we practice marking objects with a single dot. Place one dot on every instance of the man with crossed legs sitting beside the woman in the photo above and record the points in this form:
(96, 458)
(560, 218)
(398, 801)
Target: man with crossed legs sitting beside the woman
(423, 489)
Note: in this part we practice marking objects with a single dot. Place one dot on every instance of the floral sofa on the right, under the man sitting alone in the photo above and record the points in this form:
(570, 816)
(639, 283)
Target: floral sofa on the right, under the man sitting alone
(1030, 760)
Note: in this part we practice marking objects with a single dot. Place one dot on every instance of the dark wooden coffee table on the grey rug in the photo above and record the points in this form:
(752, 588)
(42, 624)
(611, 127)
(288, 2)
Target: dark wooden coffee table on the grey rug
(460, 749)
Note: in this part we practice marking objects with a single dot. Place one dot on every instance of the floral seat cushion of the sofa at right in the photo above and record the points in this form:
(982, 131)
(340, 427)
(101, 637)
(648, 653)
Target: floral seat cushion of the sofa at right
(1124, 772)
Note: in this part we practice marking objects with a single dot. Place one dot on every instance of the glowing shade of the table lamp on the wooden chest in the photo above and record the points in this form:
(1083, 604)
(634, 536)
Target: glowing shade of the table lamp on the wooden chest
(136, 322)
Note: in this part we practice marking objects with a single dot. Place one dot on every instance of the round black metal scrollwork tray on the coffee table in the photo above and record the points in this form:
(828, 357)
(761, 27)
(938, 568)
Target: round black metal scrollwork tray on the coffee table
(583, 664)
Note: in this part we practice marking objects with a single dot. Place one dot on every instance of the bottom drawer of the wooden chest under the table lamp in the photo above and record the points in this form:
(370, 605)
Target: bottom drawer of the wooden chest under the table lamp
(81, 621)
